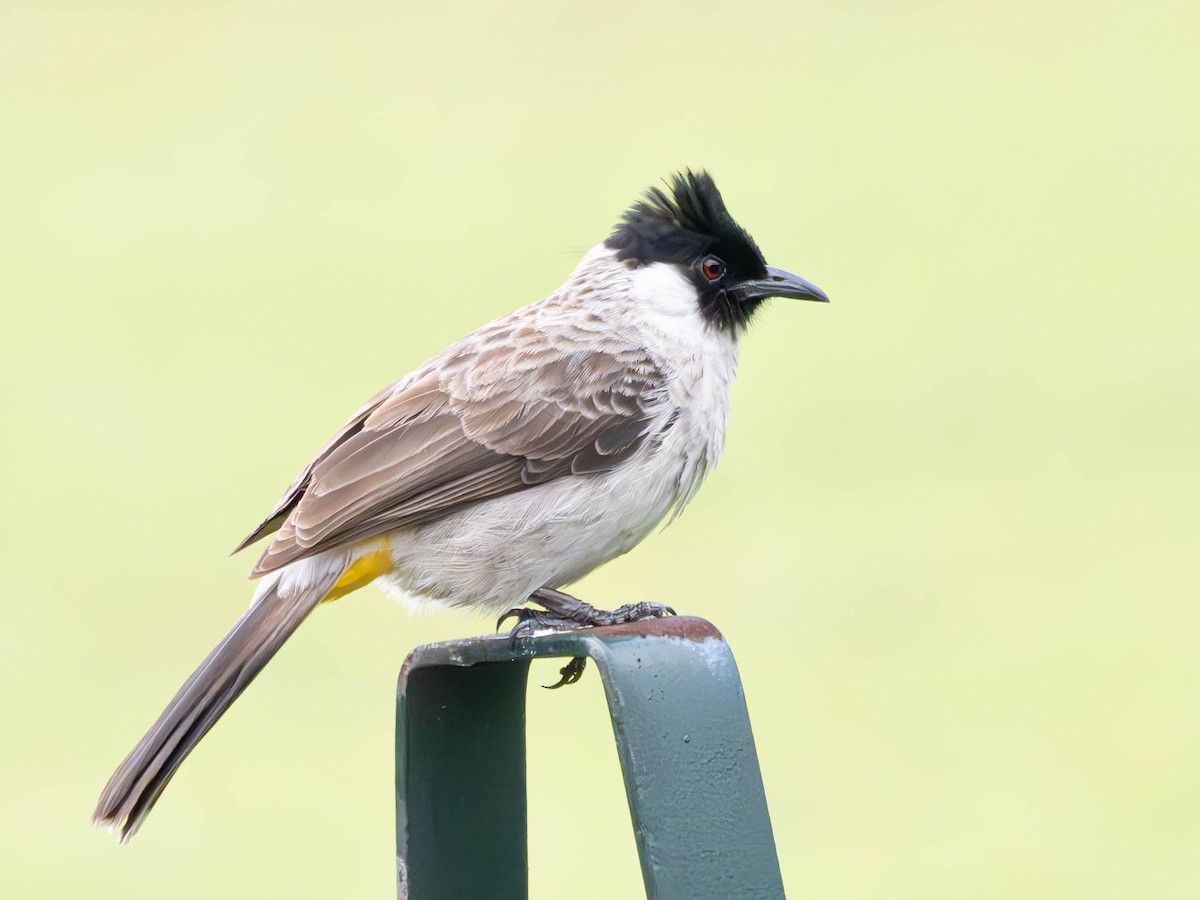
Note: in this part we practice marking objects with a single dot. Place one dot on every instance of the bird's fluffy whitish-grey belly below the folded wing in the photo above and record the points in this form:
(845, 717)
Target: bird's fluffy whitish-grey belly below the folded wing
(496, 554)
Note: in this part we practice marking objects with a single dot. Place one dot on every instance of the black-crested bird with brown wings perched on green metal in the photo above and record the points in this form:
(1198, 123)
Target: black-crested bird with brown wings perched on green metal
(509, 465)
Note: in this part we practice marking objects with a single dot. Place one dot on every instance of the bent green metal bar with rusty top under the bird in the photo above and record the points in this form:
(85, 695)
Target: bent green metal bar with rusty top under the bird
(683, 739)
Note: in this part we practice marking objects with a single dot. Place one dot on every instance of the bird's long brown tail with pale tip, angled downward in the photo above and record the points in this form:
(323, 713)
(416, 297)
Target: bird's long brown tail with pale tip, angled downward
(139, 782)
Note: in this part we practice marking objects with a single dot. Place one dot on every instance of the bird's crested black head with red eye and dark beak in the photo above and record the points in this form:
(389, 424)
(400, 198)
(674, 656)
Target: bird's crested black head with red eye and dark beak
(692, 229)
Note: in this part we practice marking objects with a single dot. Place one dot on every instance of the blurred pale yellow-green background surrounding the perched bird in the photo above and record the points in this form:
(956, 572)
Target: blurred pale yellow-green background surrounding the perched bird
(953, 542)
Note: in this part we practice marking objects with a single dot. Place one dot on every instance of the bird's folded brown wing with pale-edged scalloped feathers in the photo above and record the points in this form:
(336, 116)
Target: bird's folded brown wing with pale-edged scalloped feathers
(482, 422)
